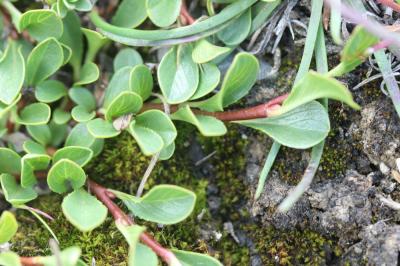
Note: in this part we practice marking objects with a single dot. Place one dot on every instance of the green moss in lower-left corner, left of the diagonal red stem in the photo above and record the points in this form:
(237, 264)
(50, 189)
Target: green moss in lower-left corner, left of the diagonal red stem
(104, 244)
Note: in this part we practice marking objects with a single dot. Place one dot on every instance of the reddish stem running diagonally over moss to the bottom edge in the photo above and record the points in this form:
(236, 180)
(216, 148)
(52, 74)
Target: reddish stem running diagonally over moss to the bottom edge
(106, 196)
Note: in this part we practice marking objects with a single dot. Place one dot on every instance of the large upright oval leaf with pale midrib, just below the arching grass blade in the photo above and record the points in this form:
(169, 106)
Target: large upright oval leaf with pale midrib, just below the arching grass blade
(178, 75)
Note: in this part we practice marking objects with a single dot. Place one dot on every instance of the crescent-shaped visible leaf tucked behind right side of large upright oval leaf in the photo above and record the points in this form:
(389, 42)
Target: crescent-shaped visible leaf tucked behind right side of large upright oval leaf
(209, 80)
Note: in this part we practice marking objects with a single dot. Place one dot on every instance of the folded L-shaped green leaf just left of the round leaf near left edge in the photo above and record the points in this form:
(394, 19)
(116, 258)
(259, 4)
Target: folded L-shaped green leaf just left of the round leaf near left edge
(31, 163)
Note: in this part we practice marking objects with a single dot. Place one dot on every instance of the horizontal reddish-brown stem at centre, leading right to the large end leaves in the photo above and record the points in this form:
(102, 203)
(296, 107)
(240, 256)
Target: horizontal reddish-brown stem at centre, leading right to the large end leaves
(259, 111)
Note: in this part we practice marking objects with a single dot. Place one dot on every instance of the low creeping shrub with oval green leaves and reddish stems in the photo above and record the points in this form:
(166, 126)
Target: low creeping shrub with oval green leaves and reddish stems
(66, 124)
